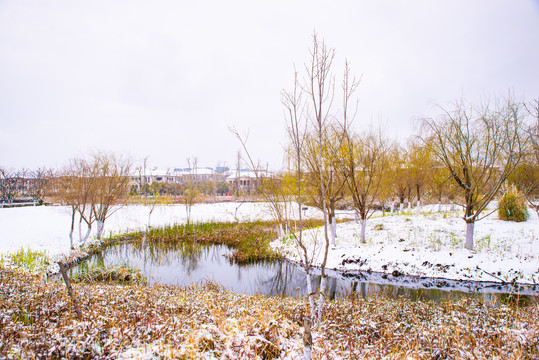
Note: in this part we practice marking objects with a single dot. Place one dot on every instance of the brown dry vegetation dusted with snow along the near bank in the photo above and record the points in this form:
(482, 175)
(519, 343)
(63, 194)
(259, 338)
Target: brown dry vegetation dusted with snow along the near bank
(37, 321)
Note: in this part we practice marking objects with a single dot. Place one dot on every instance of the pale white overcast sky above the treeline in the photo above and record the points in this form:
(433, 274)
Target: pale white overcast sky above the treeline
(165, 79)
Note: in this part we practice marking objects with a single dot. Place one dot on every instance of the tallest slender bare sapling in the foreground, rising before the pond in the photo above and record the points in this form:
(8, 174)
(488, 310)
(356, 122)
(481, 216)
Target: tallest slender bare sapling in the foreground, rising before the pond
(327, 137)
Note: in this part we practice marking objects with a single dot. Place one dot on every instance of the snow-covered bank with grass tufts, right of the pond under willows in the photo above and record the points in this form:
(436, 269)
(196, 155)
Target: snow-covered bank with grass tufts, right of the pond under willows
(432, 245)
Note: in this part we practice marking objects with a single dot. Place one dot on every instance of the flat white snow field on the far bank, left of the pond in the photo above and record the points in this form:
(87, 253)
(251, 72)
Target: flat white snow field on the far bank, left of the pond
(47, 227)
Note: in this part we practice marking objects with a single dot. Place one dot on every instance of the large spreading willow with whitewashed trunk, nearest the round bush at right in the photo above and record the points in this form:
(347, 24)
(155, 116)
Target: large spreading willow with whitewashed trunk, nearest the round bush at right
(480, 146)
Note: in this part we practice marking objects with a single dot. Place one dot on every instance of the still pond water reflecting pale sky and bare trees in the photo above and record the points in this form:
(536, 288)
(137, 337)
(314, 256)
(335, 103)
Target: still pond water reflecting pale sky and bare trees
(183, 264)
